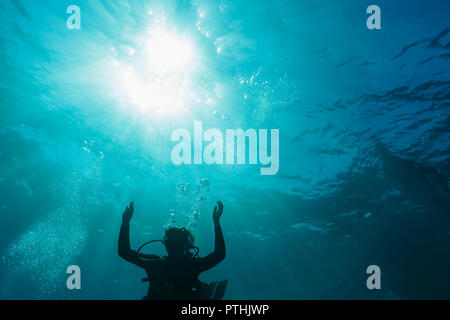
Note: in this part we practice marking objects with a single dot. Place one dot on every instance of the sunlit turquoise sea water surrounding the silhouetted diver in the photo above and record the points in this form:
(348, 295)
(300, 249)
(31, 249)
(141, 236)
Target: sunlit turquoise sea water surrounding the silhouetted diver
(363, 116)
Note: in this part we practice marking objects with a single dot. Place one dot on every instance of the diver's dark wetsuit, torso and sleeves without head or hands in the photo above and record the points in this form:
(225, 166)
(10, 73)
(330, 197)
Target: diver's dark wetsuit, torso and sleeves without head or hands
(173, 277)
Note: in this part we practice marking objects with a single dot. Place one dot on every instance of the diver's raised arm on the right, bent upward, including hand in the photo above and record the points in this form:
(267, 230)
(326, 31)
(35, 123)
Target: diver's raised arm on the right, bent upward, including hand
(219, 242)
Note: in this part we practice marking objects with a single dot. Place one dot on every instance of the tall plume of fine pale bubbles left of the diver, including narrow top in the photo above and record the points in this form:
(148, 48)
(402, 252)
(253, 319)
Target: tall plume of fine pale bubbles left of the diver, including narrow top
(53, 242)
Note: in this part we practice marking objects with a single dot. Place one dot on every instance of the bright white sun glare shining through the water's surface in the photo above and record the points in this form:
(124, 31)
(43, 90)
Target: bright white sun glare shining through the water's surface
(159, 80)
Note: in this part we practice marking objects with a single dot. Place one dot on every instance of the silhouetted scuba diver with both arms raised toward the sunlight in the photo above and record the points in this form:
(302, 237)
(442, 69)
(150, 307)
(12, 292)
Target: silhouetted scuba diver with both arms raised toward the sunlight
(175, 276)
